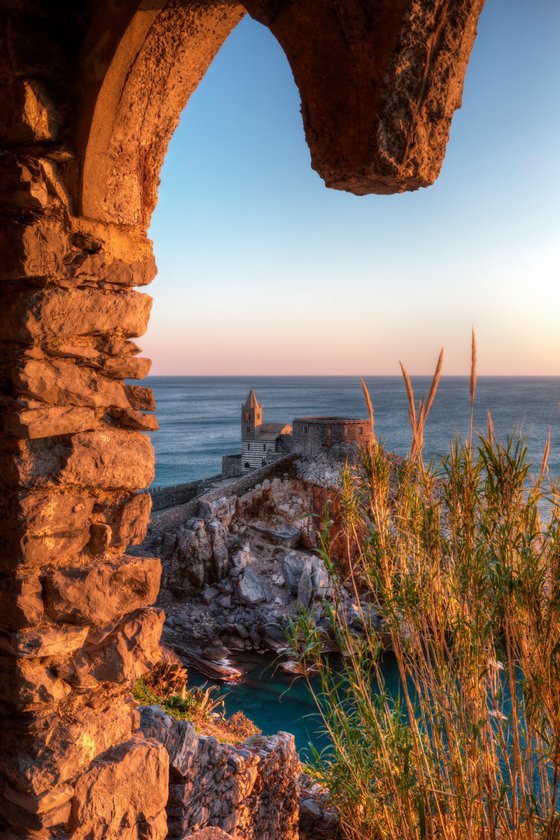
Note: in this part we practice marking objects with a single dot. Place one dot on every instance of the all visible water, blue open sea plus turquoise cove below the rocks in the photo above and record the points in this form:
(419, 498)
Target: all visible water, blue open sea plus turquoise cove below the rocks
(199, 421)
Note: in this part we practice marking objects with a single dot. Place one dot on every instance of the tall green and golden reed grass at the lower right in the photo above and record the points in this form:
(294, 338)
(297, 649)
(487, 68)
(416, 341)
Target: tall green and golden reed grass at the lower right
(455, 568)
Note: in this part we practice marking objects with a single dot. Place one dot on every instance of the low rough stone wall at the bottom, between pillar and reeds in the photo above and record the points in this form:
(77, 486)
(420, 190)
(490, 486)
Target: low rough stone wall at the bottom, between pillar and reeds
(250, 790)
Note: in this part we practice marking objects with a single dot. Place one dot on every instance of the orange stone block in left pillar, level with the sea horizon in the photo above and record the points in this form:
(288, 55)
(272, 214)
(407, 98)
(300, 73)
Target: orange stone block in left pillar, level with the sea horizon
(63, 383)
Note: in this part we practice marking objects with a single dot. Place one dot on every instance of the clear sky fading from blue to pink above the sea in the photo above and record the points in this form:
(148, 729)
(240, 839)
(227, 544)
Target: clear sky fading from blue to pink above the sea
(264, 271)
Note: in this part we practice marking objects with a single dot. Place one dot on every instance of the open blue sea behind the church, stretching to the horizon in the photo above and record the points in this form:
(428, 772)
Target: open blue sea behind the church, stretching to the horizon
(199, 416)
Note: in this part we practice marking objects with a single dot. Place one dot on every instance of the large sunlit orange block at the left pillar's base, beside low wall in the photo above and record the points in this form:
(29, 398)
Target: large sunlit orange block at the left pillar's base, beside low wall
(123, 790)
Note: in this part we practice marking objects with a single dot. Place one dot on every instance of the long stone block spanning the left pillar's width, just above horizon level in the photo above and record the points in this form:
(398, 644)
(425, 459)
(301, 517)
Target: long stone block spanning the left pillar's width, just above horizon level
(54, 313)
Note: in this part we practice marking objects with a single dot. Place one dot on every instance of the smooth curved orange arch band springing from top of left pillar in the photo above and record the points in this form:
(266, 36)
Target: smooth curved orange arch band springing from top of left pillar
(136, 104)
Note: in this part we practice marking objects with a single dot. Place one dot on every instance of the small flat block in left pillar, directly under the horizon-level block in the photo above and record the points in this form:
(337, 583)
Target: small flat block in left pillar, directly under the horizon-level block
(48, 422)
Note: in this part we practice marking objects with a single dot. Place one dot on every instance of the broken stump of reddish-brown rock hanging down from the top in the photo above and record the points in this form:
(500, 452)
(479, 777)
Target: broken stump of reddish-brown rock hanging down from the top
(385, 77)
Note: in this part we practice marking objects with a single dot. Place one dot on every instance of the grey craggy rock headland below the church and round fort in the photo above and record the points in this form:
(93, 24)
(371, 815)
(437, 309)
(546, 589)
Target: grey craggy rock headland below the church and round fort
(238, 569)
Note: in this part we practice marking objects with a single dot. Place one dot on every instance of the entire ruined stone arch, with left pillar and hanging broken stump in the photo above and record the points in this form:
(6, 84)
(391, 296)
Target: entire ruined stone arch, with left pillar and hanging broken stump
(89, 96)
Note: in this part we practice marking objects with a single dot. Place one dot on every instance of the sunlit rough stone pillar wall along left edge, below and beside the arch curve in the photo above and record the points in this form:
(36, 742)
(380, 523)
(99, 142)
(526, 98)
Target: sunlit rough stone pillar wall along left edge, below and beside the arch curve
(76, 621)
